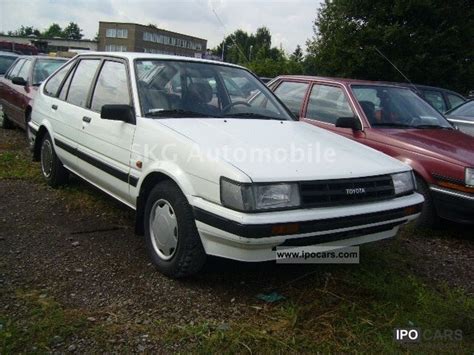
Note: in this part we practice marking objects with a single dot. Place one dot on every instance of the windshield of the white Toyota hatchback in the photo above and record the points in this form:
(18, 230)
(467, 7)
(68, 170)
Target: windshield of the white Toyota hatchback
(173, 88)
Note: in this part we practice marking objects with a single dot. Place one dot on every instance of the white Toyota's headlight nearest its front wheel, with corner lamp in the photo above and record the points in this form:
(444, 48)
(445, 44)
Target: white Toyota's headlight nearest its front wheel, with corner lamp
(258, 197)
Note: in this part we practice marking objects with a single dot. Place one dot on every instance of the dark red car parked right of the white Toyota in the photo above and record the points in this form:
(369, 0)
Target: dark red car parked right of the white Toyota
(396, 121)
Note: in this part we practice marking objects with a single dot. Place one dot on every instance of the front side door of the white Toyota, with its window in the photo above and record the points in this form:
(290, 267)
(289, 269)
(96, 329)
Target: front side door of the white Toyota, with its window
(105, 147)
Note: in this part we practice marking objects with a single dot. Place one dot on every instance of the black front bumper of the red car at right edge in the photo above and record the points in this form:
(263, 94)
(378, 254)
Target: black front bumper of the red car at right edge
(453, 205)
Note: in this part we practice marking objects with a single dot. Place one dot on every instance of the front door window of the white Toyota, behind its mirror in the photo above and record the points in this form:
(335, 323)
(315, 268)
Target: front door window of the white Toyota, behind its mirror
(111, 87)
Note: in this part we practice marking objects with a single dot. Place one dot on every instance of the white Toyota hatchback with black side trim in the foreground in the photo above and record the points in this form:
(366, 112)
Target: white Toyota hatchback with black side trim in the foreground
(212, 162)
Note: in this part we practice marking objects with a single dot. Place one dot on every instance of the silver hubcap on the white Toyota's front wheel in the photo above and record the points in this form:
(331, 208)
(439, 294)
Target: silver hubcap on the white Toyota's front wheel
(163, 229)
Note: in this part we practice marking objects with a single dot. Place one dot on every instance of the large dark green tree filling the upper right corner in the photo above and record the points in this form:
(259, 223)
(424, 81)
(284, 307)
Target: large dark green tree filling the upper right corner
(430, 41)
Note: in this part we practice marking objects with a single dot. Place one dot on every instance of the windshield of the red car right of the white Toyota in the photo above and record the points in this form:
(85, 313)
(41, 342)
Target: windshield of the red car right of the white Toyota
(389, 107)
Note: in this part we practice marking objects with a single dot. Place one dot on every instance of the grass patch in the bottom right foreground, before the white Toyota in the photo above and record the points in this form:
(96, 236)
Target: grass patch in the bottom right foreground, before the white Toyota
(357, 310)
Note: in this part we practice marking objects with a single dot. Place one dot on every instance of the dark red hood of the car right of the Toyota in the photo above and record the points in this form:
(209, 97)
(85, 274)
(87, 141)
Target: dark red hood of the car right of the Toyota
(450, 145)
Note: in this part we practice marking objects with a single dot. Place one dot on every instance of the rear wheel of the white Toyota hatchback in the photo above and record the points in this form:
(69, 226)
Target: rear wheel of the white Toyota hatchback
(52, 169)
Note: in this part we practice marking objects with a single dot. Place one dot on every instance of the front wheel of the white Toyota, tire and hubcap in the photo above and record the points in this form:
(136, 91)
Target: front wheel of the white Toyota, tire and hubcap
(172, 239)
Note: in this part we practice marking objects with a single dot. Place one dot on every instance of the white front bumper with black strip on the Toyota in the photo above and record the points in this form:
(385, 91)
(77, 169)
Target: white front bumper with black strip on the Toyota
(254, 237)
